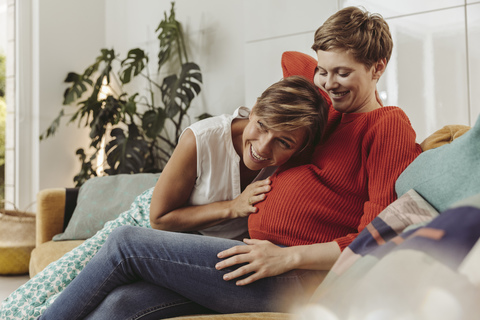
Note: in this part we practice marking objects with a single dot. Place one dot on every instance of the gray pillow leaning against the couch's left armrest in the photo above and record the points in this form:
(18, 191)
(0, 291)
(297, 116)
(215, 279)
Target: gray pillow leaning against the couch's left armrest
(102, 199)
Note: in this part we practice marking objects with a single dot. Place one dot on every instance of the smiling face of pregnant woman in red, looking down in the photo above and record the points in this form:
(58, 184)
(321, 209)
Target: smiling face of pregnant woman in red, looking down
(349, 84)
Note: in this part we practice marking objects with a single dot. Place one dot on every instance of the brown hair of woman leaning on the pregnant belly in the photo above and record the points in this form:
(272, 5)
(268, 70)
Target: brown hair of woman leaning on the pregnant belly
(292, 103)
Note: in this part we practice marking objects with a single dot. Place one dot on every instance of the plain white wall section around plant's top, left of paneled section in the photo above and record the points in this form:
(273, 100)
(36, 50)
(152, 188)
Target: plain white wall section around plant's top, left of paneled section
(215, 34)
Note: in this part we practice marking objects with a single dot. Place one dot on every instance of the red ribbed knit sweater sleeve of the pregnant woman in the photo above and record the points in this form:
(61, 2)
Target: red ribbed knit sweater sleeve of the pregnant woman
(388, 148)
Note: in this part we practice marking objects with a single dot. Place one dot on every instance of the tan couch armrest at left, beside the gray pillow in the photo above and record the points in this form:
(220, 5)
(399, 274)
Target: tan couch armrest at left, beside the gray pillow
(50, 214)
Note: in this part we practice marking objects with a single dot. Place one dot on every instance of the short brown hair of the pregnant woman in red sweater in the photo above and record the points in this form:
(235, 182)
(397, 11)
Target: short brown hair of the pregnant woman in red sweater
(365, 35)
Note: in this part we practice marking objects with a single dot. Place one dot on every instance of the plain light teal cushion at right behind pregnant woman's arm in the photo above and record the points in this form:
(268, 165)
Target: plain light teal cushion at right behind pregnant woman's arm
(447, 174)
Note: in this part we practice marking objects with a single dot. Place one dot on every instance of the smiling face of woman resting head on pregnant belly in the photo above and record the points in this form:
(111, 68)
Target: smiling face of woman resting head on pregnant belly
(264, 147)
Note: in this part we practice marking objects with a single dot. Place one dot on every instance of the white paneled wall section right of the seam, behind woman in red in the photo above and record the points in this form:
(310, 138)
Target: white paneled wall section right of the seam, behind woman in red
(433, 74)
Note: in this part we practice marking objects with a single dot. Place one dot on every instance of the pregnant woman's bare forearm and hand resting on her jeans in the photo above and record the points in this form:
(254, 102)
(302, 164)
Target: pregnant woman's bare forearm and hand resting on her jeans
(265, 259)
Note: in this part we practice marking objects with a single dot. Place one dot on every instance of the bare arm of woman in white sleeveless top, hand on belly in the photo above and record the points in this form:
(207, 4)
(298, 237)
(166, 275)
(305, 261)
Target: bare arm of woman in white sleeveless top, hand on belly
(169, 209)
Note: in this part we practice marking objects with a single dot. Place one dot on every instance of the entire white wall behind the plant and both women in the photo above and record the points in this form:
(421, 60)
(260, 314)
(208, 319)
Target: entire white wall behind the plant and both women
(433, 74)
